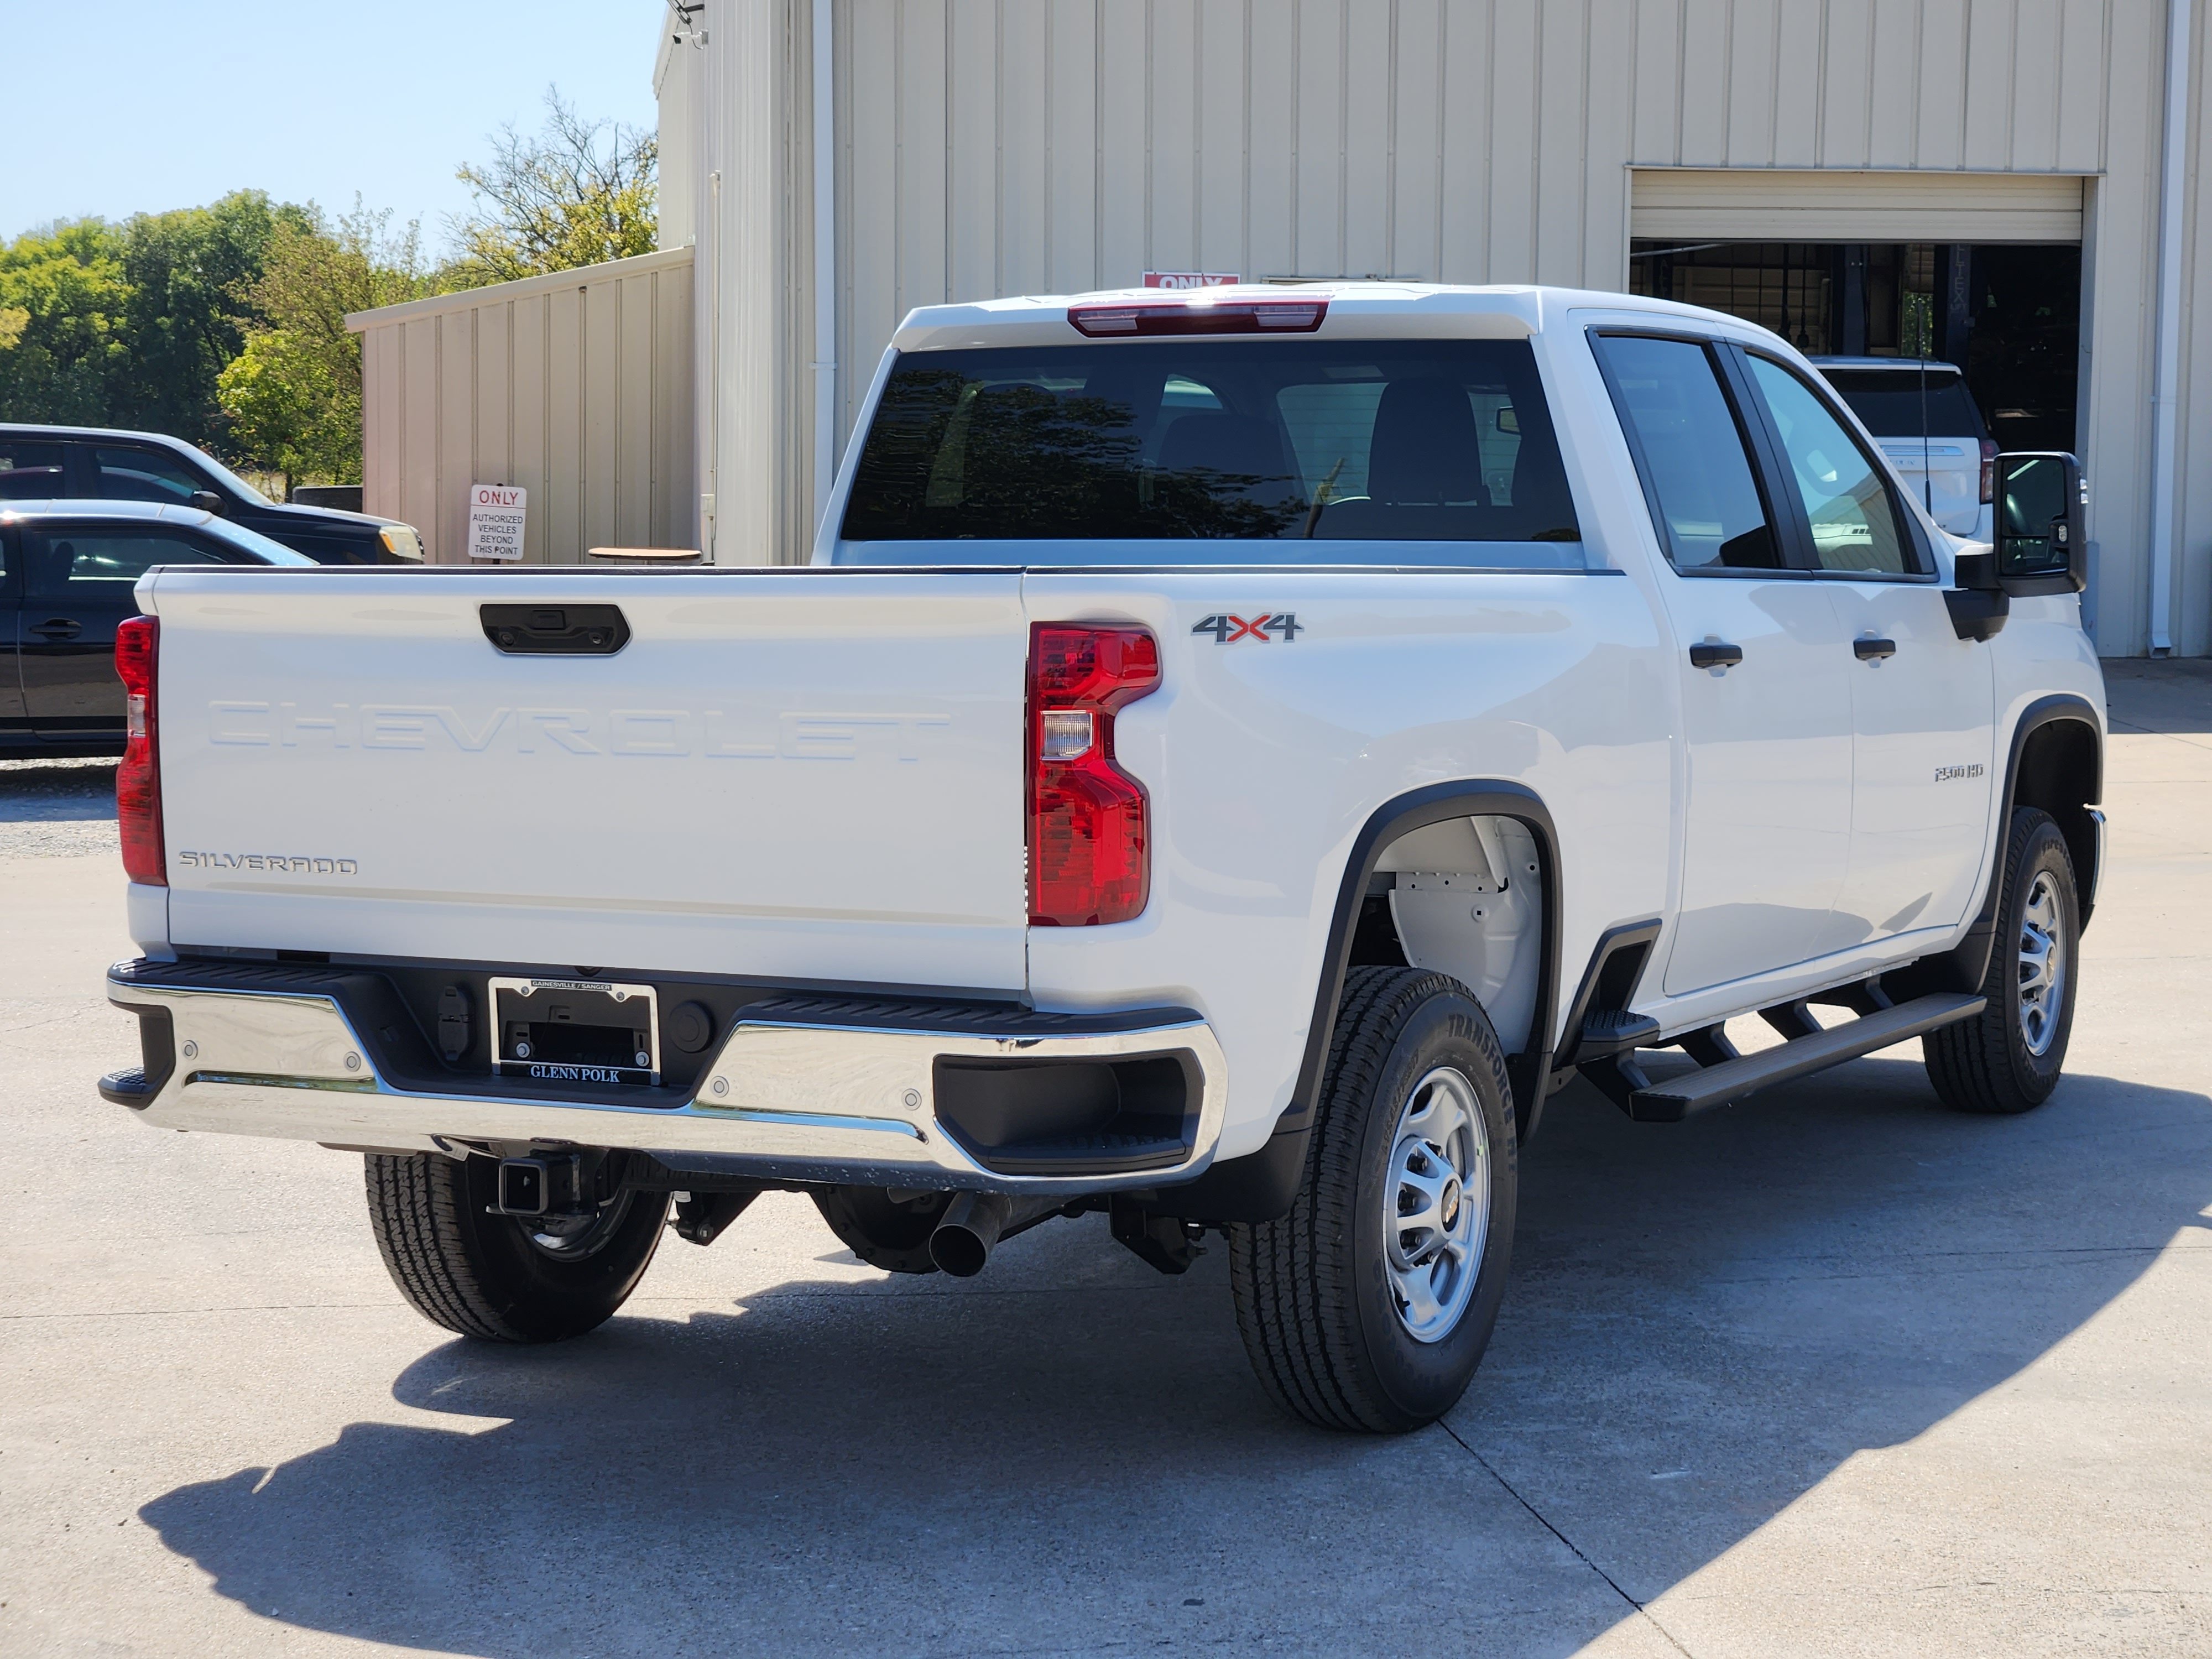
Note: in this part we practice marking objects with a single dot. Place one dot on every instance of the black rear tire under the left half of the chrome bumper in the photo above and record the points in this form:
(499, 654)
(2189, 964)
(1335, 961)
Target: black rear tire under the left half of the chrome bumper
(494, 1277)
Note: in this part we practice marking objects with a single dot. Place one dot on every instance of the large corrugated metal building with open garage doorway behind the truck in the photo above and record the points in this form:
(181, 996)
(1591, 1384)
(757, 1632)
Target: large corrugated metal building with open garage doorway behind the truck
(1959, 178)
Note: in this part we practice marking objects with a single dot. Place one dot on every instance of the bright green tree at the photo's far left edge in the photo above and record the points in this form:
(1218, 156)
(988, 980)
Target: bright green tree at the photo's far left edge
(63, 322)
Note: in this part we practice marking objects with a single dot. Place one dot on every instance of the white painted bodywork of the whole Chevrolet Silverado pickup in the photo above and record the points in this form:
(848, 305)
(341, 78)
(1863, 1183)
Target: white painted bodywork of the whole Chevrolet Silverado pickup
(820, 775)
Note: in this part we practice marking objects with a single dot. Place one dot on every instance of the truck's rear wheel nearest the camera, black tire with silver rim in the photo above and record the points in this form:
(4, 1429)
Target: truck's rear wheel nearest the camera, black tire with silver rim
(1370, 1304)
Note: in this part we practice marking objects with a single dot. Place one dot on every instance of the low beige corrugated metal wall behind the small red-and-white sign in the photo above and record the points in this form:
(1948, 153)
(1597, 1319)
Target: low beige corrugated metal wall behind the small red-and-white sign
(576, 386)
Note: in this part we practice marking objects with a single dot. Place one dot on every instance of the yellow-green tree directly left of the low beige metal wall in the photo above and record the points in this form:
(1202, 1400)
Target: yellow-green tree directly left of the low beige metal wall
(293, 395)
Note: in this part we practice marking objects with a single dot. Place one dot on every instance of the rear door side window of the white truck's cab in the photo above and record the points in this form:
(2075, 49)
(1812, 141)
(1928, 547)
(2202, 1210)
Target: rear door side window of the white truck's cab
(1695, 461)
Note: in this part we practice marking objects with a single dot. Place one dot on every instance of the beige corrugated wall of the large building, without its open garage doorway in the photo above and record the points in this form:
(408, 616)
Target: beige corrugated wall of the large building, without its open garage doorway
(1001, 147)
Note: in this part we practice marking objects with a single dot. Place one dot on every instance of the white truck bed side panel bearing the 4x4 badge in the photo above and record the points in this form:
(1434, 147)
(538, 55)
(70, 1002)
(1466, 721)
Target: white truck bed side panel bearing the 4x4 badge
(1264, 764)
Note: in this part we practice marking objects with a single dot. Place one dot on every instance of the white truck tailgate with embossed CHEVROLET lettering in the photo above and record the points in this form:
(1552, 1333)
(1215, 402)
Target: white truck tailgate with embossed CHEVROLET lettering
(802, 775)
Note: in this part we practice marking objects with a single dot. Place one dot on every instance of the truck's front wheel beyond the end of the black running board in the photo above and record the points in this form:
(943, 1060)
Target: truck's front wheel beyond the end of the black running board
(2010, 1056)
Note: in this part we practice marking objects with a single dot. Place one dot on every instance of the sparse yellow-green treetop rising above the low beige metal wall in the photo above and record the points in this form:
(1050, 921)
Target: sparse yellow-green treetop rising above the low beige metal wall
(570, 196)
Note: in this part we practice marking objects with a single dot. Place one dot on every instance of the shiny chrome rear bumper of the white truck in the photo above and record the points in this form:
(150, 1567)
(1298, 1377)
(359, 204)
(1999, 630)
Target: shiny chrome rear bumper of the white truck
(782, 1100)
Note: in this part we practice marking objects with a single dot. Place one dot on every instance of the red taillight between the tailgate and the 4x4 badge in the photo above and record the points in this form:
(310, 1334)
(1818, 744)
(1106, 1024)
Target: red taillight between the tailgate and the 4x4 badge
(1089, 835)
